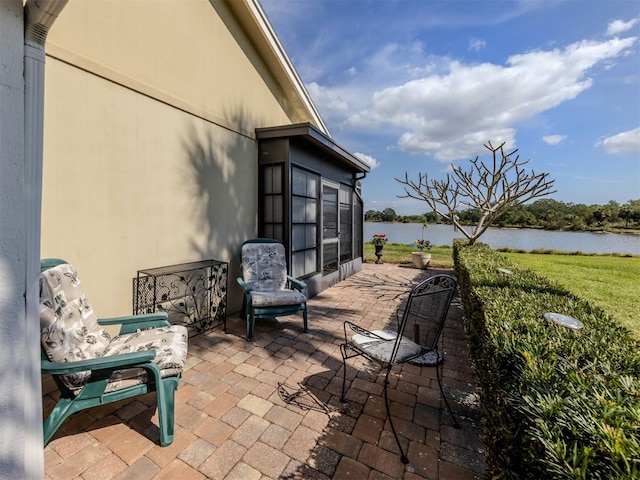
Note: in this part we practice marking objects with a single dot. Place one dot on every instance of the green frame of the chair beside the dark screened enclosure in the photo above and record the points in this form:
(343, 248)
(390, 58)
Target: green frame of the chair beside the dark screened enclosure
(251, 313)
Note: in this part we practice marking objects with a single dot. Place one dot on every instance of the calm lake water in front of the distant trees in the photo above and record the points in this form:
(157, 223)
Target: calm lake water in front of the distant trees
(525, 239)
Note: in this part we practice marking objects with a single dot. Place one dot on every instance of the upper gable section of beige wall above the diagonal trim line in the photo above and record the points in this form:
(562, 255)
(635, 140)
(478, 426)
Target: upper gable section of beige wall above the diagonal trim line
(191, 51)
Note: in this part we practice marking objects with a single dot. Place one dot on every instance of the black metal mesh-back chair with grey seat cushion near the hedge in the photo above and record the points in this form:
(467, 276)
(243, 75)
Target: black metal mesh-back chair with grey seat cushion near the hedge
(415, 340)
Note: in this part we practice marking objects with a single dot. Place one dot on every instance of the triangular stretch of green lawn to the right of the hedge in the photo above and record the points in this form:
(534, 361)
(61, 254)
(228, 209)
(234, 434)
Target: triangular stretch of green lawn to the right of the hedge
(613, 283)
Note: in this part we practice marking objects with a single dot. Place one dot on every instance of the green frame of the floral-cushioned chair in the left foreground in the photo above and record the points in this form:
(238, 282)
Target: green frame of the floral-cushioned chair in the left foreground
(93, 393)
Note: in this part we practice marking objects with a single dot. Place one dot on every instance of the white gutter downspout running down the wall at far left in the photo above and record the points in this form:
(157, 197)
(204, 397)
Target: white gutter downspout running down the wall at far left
(39, 17)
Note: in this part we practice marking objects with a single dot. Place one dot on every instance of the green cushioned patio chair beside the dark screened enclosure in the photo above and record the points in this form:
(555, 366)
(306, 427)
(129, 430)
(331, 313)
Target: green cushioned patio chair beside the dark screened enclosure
(268, 291)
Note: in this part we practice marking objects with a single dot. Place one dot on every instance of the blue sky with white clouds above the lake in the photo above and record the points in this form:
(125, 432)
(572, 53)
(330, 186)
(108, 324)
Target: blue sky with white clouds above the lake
(416, 85)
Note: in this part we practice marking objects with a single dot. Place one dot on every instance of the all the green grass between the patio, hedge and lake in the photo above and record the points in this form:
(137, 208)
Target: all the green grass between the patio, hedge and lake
(611, 282)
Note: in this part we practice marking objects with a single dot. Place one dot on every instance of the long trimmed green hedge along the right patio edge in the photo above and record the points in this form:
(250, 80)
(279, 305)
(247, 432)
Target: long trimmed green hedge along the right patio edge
(556, 403)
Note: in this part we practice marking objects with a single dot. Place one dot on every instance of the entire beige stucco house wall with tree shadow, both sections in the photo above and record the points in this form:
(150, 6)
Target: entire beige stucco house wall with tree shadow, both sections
(149, 150)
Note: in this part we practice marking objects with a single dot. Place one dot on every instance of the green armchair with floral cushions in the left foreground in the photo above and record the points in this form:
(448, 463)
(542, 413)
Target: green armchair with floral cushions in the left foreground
(90, 367)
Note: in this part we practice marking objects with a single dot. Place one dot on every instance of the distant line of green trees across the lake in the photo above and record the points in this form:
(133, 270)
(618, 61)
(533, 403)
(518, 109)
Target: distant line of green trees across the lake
(544, 213)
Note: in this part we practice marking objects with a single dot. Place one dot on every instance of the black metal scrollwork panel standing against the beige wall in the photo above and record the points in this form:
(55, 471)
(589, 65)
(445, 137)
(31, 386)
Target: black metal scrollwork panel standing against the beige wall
(195, 298)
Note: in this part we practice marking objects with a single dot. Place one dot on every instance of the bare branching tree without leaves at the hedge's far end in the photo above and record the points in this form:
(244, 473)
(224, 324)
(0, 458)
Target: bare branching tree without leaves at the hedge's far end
(492, 190)
